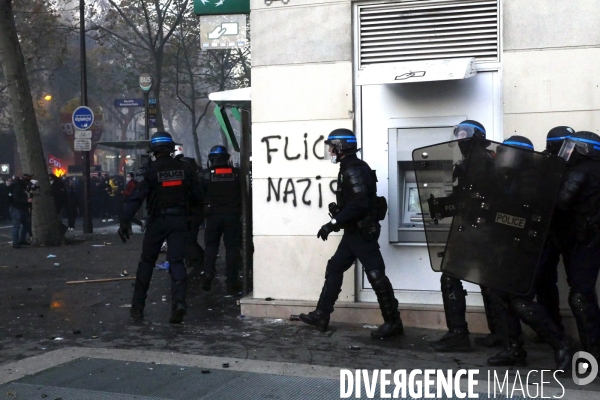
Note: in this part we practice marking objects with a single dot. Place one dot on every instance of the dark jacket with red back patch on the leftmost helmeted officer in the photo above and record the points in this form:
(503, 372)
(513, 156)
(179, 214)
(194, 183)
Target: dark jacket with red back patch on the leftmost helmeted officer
(168, 184)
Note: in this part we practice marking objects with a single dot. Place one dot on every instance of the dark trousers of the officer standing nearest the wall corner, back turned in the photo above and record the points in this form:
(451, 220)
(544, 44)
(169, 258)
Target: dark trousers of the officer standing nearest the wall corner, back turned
(230, 227)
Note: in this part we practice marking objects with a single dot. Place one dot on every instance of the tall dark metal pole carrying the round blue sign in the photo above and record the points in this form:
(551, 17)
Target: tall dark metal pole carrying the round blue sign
(87, 215)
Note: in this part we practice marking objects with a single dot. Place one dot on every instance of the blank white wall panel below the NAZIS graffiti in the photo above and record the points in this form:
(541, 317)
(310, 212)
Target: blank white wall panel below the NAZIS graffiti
(294, 267)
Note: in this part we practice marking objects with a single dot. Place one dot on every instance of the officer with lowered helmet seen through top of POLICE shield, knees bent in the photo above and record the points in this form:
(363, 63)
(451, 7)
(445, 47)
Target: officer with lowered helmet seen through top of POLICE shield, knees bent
(510, 308)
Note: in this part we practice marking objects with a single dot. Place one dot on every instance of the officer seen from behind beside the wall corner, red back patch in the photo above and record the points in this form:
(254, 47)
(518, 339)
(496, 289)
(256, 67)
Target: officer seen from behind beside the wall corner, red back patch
(222, 185)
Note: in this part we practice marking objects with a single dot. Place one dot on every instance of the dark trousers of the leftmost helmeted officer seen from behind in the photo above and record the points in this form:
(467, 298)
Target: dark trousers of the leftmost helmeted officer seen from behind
(175, 230)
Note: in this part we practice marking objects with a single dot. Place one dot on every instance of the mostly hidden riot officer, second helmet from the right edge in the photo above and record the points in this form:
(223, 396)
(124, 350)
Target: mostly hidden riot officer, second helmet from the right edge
(547, 283)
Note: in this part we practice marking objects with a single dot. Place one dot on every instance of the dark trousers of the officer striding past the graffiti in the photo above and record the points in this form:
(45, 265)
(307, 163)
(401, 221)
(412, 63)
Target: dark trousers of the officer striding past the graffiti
(353, 246)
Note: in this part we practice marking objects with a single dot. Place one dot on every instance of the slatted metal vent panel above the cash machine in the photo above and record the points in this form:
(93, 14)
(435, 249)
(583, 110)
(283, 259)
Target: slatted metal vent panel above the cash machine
(428, 30)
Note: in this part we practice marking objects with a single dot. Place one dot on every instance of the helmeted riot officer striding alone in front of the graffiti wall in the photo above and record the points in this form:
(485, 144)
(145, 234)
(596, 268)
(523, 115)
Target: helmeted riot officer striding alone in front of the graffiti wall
(357, 211)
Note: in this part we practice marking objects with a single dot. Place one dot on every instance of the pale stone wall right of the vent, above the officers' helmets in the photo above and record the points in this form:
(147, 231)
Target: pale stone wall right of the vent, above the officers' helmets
(550, 58)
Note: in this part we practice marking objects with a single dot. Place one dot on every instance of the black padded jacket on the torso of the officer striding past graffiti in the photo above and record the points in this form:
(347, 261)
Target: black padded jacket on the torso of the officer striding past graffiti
(356, 191)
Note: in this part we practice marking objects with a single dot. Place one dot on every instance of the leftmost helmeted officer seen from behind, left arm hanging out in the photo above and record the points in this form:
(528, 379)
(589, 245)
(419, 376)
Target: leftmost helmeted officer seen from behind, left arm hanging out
(169, 185)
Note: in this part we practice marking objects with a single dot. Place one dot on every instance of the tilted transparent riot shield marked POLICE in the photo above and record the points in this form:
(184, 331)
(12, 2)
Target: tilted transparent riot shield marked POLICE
(506, 200)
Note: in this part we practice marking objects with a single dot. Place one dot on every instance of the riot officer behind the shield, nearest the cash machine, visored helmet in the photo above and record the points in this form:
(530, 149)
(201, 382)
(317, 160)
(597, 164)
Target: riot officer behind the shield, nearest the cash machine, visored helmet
(453, 292)
